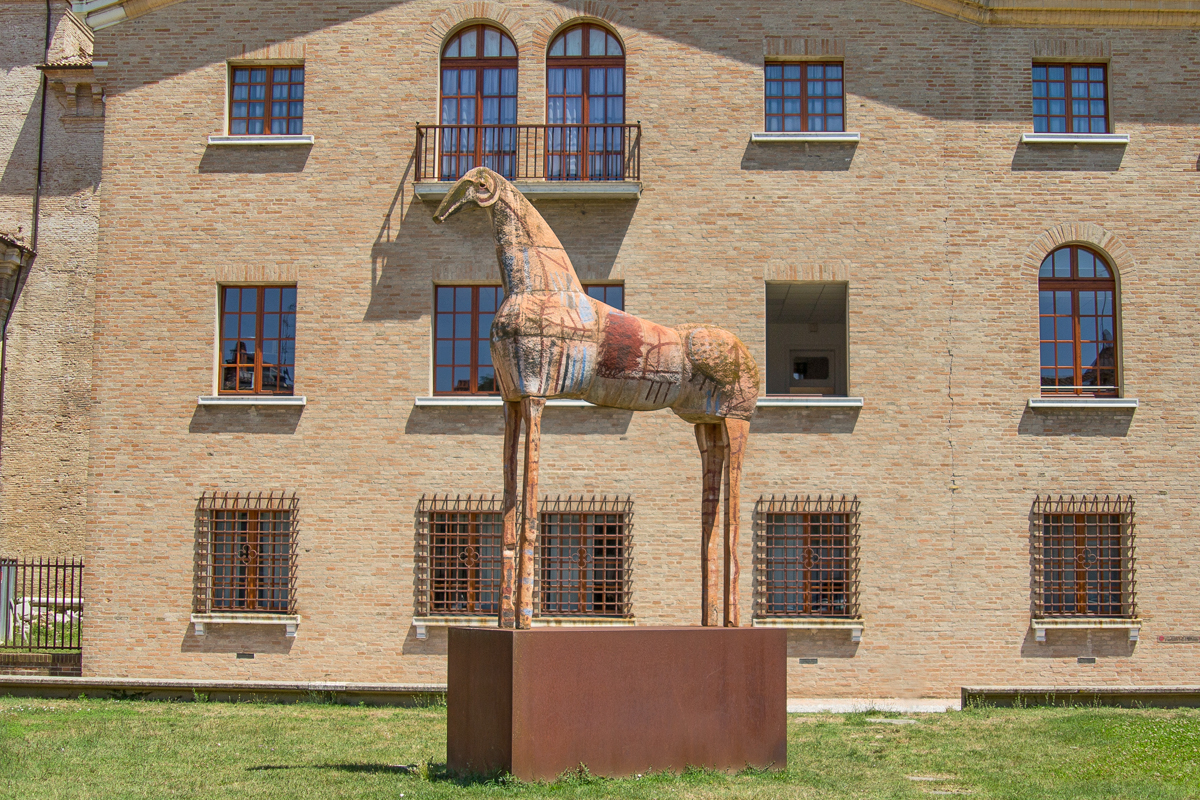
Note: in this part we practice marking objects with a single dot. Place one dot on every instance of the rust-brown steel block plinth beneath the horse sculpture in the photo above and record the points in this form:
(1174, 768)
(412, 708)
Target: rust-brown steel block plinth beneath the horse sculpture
(621, 701)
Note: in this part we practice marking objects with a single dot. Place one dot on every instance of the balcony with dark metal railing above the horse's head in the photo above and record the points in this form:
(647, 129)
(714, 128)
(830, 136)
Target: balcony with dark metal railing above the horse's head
(544, 161)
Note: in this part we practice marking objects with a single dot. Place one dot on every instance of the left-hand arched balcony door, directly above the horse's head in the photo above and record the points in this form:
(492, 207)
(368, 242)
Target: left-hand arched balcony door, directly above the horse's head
(479, 95)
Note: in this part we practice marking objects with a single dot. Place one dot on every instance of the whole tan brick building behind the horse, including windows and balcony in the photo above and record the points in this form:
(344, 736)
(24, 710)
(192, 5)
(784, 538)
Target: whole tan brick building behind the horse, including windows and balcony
(957, 237)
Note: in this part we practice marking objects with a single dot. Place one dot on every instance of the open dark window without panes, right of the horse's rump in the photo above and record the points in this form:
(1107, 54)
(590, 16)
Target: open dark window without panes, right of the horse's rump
(807, 339)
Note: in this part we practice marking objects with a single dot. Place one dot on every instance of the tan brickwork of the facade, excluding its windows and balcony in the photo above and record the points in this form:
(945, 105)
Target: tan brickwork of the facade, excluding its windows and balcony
(931, 219)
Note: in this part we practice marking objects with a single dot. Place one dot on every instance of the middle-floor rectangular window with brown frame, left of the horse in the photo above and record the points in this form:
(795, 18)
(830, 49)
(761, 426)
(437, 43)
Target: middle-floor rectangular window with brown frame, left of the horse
(259, 330)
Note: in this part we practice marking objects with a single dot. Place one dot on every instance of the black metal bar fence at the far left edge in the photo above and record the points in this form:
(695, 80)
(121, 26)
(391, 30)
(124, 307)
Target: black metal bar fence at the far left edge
(41, 604)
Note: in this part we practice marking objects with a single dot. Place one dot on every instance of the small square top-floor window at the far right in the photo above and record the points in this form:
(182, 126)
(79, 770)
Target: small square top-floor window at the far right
(1071, 99)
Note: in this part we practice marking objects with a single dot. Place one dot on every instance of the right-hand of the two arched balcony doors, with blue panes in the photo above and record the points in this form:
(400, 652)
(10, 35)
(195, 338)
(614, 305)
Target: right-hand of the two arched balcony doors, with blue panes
(586, 106)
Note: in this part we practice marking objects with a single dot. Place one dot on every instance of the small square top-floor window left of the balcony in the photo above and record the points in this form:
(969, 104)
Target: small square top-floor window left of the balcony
(267, 100)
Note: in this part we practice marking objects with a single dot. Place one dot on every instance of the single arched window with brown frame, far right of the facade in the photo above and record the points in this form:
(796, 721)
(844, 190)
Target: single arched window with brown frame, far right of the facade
(1077, 296)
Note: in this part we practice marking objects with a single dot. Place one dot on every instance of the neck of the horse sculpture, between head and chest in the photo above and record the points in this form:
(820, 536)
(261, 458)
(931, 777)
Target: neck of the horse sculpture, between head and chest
(531, 257)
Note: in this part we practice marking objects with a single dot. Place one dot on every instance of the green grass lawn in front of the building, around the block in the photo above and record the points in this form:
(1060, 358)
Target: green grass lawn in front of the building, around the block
(131, 749)
